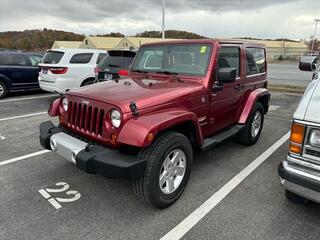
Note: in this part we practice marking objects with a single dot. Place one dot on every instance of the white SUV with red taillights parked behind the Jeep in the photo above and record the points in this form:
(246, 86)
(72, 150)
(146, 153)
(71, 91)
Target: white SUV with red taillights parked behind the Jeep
(66, 69)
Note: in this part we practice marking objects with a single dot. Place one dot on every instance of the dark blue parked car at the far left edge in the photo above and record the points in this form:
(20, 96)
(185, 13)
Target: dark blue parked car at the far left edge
(18, 71)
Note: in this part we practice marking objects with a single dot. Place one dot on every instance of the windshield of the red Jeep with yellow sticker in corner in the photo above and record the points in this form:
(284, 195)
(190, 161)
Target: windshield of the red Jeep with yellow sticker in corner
(188, 59)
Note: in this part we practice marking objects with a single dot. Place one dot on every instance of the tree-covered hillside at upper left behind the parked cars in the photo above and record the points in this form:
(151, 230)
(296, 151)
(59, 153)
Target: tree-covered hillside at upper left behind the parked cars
(35, 40)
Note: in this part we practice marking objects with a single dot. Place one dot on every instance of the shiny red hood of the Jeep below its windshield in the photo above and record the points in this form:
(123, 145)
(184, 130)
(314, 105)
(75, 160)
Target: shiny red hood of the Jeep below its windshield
(144, 92)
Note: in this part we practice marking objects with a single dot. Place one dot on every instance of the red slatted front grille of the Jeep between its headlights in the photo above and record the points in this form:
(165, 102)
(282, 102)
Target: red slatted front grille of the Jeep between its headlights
(86, 118)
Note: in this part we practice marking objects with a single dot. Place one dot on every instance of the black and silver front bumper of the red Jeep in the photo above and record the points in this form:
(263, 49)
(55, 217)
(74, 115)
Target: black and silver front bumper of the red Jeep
(91, 158)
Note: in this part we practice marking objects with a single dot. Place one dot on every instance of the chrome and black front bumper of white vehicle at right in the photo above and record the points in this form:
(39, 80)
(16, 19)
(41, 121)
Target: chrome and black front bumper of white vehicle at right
(301, 178)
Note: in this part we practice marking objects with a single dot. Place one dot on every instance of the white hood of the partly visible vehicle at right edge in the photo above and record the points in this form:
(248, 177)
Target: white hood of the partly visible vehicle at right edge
(309, 106)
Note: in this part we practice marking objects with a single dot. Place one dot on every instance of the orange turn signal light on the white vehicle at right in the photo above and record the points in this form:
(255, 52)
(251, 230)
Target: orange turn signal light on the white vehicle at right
(296, 138)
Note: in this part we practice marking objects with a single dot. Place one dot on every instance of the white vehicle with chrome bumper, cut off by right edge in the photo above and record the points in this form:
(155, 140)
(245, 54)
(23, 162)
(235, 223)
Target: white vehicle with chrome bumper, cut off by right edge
(300, 171)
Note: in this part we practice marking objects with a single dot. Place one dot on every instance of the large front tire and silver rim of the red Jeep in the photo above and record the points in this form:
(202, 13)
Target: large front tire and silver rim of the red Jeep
(169, 160)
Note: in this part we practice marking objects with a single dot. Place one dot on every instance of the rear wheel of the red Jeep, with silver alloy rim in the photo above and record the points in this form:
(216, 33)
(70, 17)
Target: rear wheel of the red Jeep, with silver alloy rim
(252, 130)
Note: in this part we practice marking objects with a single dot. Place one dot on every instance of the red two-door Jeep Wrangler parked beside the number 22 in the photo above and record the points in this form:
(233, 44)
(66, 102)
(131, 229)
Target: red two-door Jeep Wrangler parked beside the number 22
(179, 96)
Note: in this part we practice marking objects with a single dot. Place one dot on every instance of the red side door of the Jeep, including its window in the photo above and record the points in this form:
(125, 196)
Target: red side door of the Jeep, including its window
(225, 103)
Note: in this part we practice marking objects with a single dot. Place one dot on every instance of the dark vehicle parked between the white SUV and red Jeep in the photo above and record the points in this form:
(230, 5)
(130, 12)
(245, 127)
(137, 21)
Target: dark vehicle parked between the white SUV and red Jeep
(114, 65)
